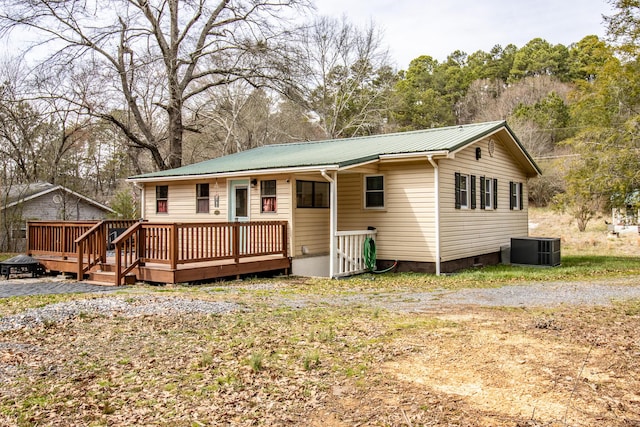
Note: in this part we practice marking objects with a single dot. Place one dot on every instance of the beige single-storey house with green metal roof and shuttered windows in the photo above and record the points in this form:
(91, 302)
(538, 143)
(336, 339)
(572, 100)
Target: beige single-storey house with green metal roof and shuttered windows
(434, 200)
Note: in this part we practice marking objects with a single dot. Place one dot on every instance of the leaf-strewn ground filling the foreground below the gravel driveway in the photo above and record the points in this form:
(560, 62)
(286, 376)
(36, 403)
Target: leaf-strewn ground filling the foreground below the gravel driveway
(327, 366)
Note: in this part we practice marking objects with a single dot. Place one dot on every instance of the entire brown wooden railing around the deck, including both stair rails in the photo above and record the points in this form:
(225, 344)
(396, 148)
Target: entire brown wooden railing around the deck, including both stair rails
(139, 243)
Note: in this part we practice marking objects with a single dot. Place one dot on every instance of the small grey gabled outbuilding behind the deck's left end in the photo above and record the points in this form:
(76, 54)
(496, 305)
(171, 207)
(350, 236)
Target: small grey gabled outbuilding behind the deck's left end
(42, 201)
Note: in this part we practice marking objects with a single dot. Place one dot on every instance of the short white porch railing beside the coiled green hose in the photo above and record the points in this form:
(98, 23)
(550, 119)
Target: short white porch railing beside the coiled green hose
(350, 252)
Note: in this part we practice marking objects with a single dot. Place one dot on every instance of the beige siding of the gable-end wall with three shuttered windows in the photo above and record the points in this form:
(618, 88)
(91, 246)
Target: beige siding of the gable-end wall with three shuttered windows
(471, 232)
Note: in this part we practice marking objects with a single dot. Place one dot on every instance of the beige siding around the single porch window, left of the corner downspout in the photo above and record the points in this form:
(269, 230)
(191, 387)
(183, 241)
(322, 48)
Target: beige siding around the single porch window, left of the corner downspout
(406, 225)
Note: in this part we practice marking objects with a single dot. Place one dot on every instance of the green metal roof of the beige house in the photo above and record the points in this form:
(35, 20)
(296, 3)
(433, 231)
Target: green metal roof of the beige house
(338, 152)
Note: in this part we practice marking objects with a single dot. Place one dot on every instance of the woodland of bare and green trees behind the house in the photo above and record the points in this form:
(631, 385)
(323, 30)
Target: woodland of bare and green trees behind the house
(157, 87)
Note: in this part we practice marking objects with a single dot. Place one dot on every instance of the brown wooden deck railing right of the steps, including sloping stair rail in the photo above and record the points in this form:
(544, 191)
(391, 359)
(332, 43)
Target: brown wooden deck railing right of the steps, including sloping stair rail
(176, 244)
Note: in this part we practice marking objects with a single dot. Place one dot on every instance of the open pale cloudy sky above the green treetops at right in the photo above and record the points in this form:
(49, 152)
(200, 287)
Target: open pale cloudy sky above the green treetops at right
(438, 27)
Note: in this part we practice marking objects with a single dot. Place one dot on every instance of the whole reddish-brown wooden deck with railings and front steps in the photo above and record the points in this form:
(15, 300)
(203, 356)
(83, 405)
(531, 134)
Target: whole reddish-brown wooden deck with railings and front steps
(158, 252)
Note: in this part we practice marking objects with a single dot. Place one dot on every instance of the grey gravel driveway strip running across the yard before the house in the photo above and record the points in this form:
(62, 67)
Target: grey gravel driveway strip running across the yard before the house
(538, 294)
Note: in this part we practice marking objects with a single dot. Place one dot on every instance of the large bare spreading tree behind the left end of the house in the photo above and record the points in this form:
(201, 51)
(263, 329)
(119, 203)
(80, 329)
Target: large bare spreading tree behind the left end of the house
(152, 57)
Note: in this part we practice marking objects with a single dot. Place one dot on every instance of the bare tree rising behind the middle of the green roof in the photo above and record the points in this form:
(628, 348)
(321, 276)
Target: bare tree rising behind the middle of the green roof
(349, 77)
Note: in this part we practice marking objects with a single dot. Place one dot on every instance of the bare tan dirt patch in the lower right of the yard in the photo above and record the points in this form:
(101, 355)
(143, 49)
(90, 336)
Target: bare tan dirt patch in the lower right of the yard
(483, 367)
